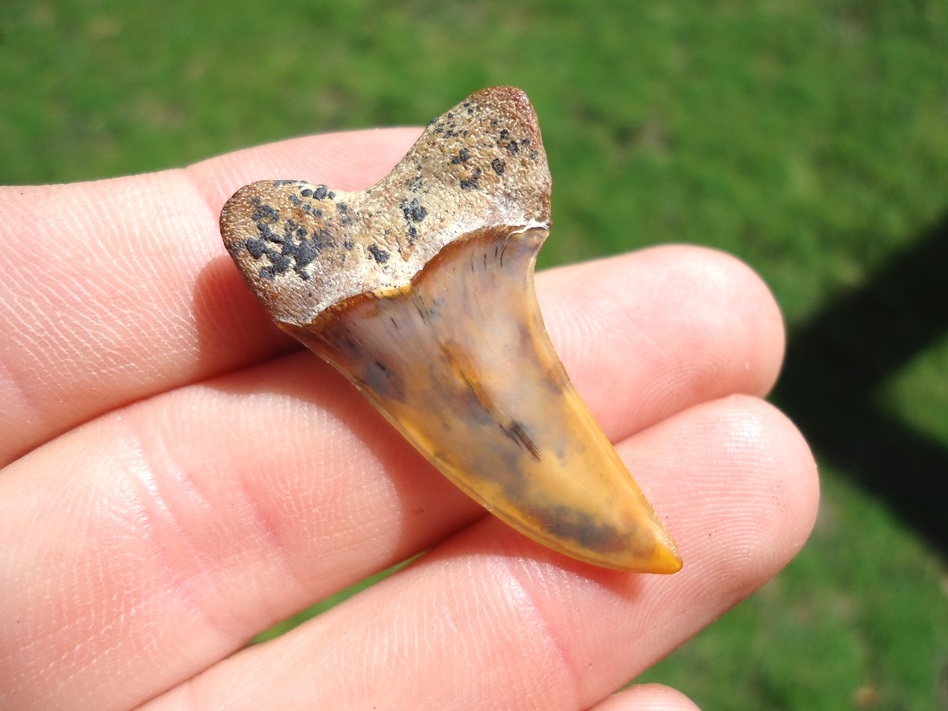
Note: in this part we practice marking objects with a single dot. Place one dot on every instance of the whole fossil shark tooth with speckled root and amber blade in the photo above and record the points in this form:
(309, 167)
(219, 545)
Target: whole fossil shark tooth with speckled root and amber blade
(420, 291)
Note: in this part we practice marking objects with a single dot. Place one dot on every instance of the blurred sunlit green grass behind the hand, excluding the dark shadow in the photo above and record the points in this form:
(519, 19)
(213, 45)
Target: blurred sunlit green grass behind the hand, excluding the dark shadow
(808, 138)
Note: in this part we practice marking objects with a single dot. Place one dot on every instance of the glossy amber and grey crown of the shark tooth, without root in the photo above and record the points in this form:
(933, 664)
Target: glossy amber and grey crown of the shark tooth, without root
(461, 364)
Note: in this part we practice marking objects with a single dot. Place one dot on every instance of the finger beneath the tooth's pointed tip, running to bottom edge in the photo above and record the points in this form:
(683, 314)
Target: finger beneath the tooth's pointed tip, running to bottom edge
(491, 620)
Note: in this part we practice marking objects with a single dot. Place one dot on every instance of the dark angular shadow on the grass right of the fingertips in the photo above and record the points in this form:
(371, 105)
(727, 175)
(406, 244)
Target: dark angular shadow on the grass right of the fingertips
(853, 345)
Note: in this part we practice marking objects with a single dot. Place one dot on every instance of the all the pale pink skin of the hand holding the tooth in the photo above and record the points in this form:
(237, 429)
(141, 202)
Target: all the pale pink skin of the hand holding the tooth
(179, 475)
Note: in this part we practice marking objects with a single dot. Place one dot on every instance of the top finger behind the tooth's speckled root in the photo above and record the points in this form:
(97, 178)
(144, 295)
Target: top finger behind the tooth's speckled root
(121, 288)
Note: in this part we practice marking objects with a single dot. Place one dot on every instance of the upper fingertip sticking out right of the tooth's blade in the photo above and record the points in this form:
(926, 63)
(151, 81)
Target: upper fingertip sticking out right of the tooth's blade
(678, 325)
